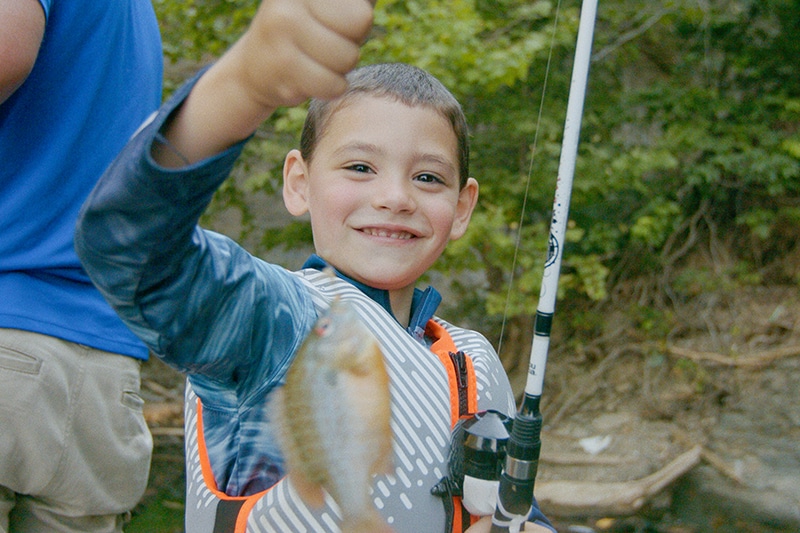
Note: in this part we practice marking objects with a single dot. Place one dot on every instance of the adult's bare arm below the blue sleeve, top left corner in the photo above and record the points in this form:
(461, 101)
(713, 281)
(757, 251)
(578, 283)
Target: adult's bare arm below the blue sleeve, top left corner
(21, 33)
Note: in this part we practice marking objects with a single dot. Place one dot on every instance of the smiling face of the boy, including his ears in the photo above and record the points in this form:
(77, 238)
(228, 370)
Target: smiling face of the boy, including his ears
(382, 191)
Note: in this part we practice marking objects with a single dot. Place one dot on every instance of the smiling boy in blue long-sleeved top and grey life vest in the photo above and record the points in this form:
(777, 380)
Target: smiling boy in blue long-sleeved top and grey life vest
(382, 171)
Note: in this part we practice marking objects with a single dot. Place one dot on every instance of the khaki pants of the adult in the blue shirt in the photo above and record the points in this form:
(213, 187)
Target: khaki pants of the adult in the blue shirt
(74, 446)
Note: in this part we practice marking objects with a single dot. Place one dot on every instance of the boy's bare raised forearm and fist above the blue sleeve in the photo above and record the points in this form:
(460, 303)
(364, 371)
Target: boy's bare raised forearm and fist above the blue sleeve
(293, 50)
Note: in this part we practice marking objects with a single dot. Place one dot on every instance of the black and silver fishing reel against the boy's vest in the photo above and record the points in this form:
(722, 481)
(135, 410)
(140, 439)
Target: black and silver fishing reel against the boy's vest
(475, 463)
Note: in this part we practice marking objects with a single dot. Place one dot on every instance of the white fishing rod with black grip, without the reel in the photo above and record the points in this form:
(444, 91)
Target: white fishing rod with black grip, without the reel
(515, 493)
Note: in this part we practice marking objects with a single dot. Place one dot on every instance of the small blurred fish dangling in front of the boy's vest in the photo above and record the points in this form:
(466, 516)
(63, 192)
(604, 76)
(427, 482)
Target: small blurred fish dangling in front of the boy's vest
(335, 417)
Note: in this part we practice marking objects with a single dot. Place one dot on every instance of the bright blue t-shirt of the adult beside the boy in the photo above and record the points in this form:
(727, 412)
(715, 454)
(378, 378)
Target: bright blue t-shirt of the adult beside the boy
(96, 79)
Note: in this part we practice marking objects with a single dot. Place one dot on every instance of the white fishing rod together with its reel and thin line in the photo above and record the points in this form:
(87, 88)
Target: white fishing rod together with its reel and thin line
(489, 459)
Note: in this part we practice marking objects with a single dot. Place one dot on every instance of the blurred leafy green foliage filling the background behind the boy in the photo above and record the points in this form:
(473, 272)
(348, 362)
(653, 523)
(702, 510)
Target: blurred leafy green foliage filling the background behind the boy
(690, 139)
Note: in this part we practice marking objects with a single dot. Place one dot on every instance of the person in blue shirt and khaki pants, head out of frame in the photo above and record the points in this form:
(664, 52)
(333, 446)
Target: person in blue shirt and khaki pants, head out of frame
(77, 78)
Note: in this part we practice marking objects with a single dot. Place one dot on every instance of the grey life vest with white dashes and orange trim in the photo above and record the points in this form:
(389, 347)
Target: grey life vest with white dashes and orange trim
(430, 391)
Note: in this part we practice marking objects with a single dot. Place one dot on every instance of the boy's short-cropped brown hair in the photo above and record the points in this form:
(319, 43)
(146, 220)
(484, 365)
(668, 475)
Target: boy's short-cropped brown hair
(407, 84)
